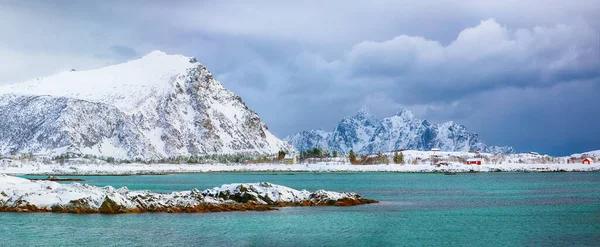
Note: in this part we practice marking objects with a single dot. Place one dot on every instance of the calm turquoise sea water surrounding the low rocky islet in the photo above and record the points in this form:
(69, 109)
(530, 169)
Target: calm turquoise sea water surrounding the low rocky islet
(484, 209)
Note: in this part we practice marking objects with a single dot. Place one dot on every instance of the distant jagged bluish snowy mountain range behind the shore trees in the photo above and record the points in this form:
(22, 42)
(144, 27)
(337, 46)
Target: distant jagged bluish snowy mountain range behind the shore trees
(364, 133)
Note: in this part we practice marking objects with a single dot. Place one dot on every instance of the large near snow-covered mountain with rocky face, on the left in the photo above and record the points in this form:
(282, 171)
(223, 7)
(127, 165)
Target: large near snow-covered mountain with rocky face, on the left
(154, 107)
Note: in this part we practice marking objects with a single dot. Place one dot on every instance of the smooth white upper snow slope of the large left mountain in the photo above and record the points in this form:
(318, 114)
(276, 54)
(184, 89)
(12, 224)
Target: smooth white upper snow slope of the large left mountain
(124, 86)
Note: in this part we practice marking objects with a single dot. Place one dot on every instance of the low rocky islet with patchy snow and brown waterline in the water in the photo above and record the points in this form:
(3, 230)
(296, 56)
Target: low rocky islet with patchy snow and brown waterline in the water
(23, 195)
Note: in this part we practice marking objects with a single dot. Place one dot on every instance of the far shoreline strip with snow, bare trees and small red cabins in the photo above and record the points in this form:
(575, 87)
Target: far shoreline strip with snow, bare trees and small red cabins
(432, 161)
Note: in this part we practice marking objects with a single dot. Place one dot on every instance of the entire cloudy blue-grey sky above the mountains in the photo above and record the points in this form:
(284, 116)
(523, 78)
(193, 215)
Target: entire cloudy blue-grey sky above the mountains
(519, 73)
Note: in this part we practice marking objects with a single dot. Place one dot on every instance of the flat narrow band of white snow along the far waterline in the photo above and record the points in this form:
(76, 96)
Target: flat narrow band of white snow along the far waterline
(35, 168)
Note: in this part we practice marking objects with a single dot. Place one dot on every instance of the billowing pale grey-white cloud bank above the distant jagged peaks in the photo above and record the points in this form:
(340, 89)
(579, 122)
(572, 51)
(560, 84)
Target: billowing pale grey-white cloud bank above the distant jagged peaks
(483, 57)
